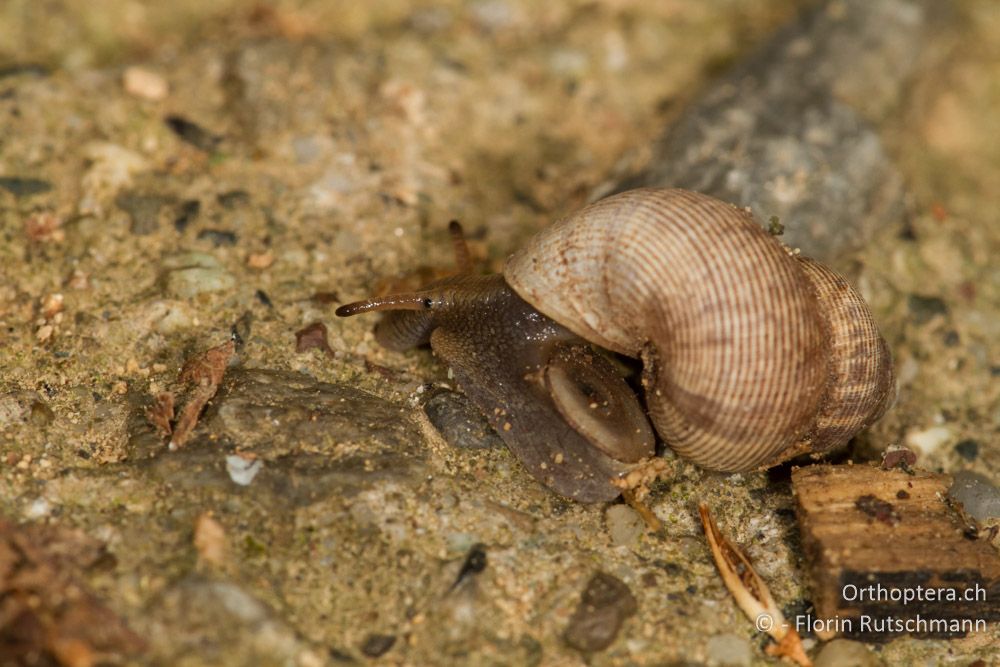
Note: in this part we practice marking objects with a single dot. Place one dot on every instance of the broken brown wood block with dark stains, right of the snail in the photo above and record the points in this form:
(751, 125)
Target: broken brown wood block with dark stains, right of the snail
(888, 555)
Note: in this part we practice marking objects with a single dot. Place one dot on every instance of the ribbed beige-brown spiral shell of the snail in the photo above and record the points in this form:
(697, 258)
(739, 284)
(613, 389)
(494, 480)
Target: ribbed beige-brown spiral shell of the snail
(751, 355)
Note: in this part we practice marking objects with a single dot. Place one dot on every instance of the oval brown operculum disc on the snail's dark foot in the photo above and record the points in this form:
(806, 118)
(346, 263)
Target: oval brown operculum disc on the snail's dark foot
(598, 404)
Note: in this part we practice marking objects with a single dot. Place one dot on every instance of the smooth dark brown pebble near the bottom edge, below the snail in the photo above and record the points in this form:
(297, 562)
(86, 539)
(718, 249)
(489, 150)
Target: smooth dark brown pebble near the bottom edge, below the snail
(605, 605)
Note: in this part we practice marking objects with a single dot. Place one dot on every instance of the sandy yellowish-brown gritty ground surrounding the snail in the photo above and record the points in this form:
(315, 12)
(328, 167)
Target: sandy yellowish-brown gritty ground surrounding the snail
(326, 147)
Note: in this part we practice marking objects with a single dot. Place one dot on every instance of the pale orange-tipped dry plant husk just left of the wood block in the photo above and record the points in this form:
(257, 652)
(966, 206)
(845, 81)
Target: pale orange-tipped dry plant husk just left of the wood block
(751, 593)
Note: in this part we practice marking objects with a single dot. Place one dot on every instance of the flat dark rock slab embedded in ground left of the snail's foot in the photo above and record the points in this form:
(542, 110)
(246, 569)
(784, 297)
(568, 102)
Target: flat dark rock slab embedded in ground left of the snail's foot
(293, 425)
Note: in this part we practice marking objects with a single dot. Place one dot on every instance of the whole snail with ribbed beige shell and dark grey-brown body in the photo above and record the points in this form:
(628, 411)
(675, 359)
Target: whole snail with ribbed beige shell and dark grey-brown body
(750, 353)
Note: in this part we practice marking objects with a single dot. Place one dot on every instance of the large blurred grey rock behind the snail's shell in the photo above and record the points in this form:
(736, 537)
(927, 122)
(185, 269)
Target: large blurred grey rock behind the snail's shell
(777, 135)
